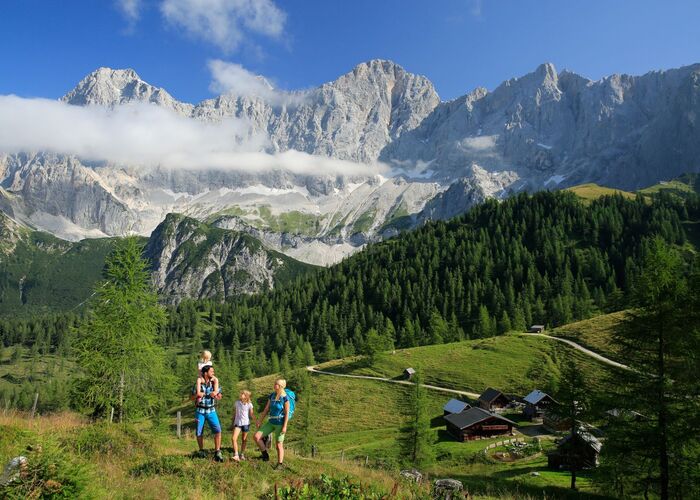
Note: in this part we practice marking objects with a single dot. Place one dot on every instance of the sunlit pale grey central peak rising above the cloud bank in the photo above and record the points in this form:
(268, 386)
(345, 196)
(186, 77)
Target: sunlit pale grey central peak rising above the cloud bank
(351, 118)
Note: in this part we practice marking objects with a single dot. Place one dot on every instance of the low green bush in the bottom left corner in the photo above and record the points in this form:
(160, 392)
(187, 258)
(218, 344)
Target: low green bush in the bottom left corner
(50, 472)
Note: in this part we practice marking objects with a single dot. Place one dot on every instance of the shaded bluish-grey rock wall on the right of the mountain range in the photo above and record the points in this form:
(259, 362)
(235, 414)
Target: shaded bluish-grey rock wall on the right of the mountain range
(622, 131)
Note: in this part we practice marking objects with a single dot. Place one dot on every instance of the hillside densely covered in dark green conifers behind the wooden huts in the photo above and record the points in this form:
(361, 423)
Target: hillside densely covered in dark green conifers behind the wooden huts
(544, 258)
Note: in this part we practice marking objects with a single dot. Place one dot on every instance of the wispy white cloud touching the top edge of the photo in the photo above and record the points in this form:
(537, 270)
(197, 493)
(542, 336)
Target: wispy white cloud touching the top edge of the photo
(224, 23)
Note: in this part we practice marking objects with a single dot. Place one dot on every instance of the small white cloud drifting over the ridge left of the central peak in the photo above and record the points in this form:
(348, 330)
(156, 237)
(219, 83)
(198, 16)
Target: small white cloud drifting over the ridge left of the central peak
(232, 78)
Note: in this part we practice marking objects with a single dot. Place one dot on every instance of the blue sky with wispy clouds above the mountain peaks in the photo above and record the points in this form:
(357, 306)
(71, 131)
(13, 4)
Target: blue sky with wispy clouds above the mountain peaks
(46, 47)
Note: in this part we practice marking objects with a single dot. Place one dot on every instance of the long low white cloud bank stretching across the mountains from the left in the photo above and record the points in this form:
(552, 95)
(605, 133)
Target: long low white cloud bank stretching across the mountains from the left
(142, 134)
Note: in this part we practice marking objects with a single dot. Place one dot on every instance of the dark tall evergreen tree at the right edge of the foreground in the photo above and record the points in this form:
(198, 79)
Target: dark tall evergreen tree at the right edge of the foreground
(653, 441)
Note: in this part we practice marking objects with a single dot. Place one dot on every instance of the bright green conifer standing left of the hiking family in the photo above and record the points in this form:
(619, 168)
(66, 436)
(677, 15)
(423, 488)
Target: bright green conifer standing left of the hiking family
(122, 363)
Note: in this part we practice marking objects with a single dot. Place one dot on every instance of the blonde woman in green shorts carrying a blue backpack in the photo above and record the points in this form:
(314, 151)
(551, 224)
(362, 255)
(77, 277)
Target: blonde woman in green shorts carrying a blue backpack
(280, 406)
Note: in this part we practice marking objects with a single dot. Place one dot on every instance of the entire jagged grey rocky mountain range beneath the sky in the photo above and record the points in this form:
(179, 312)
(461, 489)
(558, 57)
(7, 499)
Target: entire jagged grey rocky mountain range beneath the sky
(544, 130)
